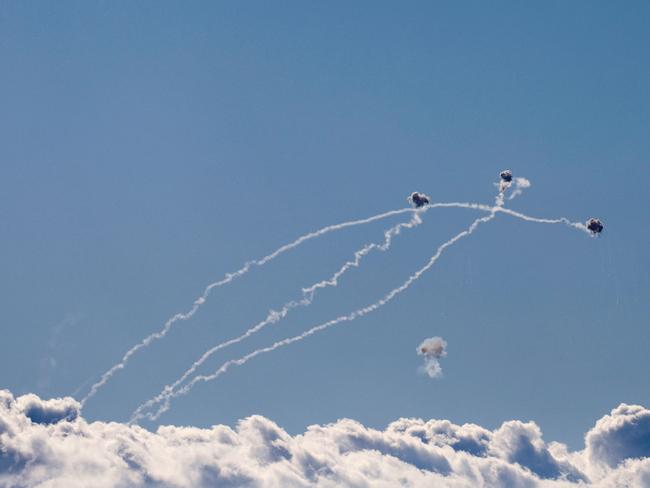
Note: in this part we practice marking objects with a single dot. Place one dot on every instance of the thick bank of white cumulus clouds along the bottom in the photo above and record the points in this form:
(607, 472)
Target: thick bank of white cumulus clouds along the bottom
(47, 443)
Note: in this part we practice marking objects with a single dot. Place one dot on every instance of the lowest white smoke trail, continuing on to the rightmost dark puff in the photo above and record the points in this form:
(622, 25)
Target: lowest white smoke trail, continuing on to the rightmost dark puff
(359, 312)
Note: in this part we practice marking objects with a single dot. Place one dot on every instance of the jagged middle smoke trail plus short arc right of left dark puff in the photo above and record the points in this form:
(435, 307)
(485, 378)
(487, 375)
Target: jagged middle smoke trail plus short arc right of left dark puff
(307, 298)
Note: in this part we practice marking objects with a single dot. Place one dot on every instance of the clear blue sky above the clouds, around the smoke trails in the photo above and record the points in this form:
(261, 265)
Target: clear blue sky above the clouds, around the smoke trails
(149, 147)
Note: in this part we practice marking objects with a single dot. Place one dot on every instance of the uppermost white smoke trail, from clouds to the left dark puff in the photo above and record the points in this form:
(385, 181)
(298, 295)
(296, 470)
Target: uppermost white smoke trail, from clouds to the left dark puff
(227, 279)
